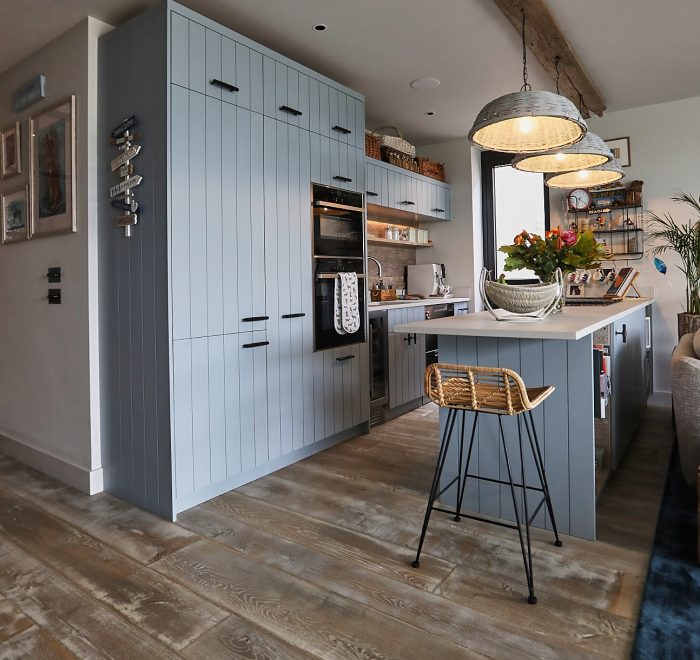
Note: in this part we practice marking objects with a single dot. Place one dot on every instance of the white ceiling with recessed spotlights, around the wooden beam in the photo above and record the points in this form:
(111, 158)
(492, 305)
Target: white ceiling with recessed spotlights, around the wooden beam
(637, 52)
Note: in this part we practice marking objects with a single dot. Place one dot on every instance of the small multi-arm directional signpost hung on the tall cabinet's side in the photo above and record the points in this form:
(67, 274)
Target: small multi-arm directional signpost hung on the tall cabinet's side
(122, 194)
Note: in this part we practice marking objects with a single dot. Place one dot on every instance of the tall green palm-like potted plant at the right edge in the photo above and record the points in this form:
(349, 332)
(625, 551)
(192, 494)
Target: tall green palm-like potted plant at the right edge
(684, 239)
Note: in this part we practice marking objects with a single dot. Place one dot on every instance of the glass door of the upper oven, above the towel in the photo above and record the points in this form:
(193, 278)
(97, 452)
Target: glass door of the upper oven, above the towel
(338, 232)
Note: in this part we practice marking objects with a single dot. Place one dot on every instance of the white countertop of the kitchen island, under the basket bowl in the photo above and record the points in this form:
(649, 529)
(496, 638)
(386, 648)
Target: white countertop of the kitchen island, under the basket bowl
(571, 323)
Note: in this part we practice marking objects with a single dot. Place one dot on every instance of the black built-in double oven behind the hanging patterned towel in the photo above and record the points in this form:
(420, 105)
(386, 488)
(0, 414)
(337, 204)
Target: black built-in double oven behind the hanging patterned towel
(338, 246)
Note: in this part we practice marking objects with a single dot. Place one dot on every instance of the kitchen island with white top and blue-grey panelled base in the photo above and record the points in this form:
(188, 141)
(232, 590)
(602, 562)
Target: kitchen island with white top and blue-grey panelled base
(557, 351)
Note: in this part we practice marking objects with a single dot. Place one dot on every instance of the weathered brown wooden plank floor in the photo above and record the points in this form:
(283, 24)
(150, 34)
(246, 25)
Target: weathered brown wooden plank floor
(314, 562)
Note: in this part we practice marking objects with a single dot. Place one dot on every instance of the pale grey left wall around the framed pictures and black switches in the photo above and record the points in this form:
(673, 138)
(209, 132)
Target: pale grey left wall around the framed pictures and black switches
(49, 380)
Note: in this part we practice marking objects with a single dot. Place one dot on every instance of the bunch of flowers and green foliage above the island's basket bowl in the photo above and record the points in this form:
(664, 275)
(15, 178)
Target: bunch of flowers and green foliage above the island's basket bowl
(566, 250)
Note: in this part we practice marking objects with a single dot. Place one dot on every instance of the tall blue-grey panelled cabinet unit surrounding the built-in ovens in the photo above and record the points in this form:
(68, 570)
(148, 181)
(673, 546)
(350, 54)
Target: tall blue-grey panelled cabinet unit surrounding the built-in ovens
(210, 378)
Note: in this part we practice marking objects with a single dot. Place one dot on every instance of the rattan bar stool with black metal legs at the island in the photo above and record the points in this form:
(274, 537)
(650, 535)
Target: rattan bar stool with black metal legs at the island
(492, 391)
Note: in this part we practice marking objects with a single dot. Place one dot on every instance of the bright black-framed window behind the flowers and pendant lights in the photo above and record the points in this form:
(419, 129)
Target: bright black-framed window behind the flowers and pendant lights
(512, 201)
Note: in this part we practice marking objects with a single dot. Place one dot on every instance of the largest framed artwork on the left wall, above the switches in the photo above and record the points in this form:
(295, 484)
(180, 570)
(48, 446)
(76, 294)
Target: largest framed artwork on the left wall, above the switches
(52, 170)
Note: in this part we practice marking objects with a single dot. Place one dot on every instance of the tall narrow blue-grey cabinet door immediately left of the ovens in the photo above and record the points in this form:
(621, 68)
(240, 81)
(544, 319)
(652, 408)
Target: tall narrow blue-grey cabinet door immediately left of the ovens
(288, 273)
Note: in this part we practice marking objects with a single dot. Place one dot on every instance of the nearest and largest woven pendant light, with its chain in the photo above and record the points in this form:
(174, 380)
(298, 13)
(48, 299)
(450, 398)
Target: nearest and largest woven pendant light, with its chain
(527, 121)
